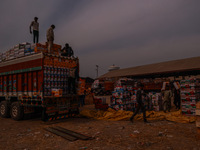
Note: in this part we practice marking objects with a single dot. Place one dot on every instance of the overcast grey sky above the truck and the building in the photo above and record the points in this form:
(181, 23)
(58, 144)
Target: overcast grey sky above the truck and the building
(125, 33)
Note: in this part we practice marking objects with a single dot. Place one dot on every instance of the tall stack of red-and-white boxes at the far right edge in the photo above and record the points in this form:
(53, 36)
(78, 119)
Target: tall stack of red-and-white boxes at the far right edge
(190, 94)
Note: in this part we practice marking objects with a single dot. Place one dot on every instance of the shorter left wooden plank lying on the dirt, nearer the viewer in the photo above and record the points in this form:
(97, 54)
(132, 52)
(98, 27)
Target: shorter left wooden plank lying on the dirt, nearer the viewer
(59, 133)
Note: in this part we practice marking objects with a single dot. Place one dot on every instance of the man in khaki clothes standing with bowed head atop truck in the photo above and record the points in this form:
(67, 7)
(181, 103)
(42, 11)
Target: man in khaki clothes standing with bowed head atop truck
(50, 38)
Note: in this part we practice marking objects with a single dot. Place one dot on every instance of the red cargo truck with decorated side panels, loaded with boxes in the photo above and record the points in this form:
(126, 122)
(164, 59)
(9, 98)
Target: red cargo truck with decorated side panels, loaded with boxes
(38, 83)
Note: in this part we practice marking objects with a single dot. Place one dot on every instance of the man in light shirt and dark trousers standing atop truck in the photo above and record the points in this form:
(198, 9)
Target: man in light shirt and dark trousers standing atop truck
(35, 26)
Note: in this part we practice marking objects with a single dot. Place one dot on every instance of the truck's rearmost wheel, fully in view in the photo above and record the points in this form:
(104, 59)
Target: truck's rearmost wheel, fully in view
(16, 111)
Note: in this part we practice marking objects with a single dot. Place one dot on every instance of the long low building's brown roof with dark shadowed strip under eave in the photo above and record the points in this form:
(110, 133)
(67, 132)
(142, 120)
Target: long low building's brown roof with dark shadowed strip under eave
(175, 69)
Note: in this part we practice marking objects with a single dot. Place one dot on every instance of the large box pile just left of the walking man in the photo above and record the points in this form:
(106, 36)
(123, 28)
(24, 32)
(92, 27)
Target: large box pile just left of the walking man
(124, 96)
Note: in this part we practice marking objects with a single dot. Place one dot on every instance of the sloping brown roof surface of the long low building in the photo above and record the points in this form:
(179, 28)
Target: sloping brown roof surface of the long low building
(187, 64)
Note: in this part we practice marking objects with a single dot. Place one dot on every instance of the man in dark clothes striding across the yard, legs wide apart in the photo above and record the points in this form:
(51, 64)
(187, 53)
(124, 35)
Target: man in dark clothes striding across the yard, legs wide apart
(140, 103)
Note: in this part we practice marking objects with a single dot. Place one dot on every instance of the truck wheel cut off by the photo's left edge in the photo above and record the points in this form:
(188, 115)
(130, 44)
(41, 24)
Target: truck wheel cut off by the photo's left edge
(4, 109)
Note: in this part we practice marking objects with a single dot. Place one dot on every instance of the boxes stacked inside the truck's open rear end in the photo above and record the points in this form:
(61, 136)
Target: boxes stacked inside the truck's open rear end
(56, 74)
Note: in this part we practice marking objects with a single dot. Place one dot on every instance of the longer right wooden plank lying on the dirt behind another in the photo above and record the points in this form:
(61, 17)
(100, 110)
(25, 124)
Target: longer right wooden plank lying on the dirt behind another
(72, 133)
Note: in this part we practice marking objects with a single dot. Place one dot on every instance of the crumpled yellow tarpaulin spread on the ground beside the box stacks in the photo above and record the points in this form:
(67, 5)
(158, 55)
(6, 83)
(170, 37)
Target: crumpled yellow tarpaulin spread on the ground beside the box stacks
(113, 115)
